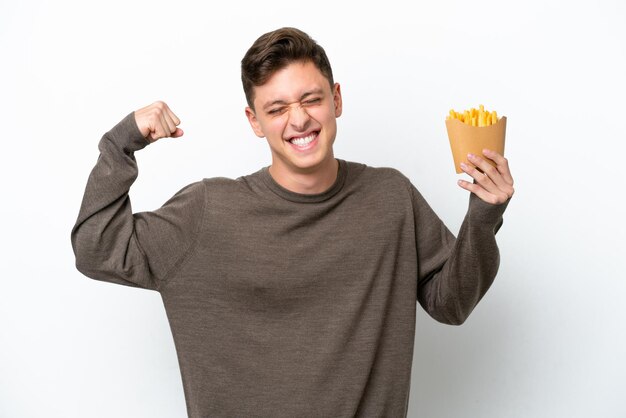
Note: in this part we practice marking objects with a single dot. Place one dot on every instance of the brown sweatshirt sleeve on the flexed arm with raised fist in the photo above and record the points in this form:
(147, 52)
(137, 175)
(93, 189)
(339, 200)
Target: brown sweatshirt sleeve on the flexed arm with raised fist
(113, 244)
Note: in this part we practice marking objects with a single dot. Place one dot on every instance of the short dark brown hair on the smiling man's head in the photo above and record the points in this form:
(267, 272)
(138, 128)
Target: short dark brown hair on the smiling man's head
(274, 51)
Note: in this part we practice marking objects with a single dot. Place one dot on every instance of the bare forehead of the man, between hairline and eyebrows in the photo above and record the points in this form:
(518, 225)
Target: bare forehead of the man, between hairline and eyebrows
(290, 83)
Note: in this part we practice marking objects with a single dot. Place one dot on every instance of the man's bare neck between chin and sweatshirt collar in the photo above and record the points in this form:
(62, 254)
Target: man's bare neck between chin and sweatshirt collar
(307, 182)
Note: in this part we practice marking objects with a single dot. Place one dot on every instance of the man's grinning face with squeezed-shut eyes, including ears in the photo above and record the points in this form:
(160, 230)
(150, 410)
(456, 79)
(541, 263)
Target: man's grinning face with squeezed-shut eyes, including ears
(296, 110)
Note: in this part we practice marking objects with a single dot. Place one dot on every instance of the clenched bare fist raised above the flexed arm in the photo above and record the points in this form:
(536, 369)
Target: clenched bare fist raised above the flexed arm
(157, 121)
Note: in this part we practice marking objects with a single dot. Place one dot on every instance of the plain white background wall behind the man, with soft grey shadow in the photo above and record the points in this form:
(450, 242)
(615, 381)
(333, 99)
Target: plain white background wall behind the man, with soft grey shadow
(548, 339)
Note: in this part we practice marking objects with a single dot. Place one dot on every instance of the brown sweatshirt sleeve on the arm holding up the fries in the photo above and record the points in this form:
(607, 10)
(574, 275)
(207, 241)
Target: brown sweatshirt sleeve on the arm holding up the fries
(455, 273)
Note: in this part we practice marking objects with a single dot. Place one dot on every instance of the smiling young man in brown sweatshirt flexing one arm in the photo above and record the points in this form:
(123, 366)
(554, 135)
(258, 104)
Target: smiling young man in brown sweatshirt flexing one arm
(291, 292)
